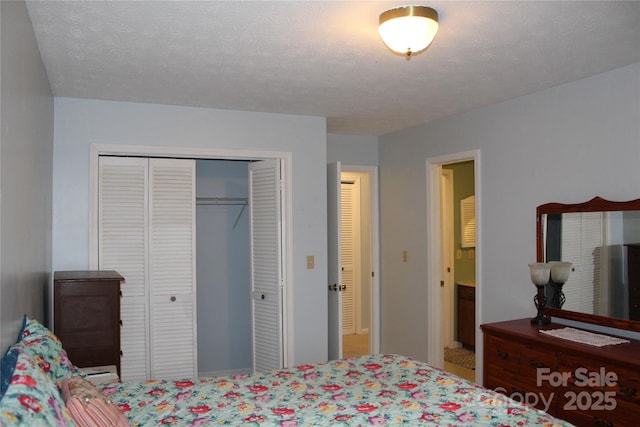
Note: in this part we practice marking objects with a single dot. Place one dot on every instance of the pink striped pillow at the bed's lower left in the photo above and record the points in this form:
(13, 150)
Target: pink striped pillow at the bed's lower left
(88, 407)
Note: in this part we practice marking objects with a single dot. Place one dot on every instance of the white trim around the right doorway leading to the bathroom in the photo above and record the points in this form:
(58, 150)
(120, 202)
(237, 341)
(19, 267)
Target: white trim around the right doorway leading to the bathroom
(435, 352)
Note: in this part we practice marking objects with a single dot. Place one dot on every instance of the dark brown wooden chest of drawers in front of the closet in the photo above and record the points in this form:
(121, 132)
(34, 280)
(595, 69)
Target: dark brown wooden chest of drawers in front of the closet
(87, 316)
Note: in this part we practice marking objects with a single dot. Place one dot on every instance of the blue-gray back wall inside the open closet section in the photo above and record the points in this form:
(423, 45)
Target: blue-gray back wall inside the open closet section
(223, 269)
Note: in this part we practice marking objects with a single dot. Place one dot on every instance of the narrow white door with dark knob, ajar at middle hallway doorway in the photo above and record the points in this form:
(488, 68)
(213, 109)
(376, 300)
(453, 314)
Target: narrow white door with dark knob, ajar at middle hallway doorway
(334, 261)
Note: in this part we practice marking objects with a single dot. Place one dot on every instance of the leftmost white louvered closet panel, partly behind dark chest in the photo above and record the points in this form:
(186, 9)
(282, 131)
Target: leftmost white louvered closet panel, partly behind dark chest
(122, 228)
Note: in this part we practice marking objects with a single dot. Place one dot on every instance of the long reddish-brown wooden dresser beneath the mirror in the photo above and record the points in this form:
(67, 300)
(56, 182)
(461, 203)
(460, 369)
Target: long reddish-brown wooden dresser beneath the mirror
(582, 384)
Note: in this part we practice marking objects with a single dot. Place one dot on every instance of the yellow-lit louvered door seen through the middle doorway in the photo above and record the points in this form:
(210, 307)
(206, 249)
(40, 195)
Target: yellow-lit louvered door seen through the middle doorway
(348, 259)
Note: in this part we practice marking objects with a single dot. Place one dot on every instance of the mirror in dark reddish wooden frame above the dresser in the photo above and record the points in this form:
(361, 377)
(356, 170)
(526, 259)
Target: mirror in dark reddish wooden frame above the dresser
(601, 239)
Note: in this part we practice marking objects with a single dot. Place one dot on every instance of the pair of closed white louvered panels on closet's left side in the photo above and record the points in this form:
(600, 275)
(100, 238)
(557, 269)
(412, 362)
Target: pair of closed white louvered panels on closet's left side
(146, 232)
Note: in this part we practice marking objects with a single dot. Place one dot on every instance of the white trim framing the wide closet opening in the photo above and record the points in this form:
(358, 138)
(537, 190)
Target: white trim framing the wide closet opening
(97, 150)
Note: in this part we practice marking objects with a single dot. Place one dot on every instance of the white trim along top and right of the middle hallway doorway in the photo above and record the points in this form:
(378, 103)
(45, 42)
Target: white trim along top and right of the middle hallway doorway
(374, 330)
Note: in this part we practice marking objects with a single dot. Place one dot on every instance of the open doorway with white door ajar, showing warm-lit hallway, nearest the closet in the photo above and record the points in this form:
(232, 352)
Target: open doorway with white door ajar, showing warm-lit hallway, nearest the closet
(353, 261)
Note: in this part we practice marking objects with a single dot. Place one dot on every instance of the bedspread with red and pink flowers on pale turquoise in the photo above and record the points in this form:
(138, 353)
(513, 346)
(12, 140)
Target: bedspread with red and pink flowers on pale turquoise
(368, 390)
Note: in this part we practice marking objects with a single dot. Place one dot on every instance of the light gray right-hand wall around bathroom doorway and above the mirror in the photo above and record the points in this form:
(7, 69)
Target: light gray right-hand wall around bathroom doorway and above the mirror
(565, 144)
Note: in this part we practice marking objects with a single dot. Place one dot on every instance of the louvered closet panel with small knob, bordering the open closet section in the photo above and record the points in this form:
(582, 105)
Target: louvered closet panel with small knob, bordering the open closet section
(172, 268)
